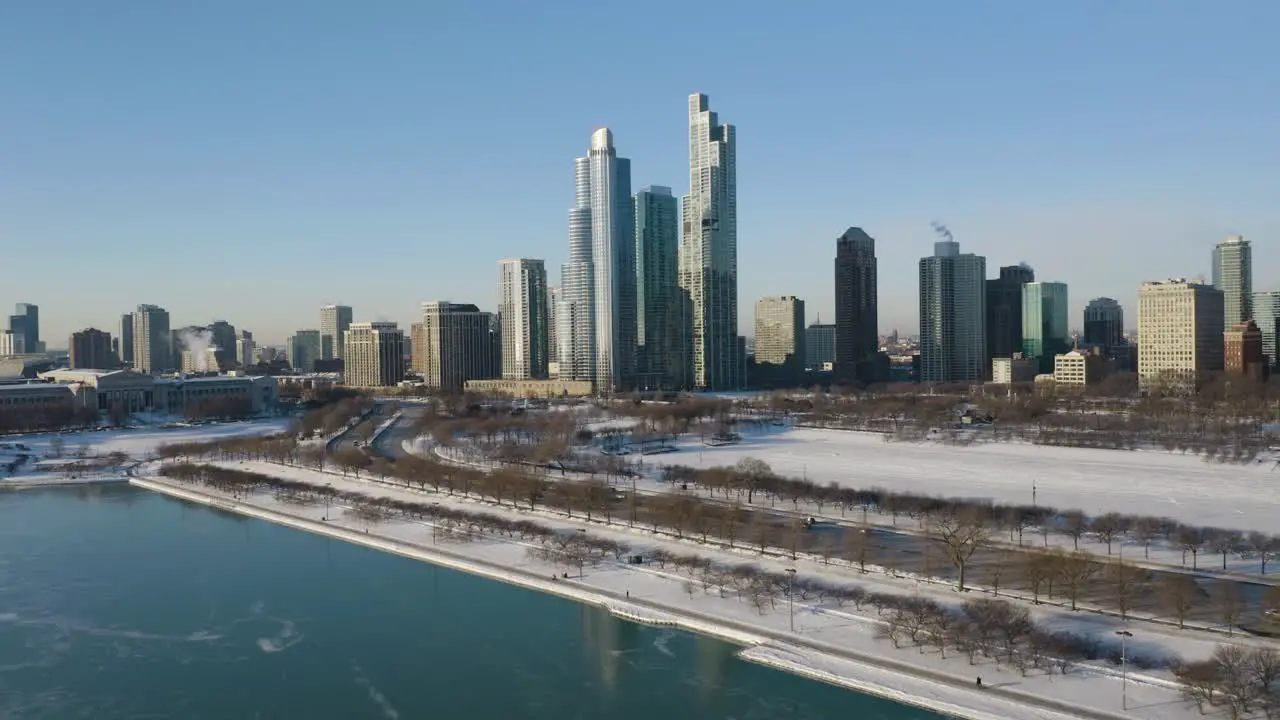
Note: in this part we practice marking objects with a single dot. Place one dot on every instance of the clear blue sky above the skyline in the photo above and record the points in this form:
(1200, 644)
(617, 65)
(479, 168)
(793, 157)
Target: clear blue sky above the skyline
(253, 161)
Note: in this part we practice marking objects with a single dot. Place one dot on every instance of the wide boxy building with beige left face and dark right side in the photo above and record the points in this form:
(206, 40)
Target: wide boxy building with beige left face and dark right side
(460, 344)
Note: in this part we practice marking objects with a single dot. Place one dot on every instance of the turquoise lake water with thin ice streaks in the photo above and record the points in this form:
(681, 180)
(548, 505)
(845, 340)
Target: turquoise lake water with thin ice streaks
(116, 603)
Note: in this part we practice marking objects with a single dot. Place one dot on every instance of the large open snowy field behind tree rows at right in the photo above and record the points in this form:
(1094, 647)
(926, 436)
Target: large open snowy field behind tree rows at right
(1148, 482)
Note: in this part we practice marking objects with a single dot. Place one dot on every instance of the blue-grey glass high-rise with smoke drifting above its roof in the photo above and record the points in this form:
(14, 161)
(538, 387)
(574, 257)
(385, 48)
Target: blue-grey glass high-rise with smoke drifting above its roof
(953, 316)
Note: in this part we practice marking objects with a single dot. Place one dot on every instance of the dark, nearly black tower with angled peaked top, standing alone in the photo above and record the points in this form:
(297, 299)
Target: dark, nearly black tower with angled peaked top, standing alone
(857, 317)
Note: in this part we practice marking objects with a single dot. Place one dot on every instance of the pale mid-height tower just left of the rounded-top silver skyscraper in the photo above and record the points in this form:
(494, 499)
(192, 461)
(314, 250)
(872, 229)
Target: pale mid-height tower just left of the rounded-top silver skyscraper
(523, 312)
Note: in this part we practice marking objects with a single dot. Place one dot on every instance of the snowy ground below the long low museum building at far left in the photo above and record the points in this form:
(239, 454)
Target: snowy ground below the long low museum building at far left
(92, 448)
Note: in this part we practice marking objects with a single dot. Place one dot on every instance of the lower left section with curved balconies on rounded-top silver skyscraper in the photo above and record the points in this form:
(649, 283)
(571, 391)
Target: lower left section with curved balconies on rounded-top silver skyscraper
(575, 318)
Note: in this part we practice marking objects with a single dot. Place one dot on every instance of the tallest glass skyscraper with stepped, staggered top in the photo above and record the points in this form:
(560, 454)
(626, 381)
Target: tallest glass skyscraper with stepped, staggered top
(708, 249)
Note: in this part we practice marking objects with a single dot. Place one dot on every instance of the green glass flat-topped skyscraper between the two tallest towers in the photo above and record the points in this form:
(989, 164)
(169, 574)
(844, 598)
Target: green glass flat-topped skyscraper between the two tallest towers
(660, 303)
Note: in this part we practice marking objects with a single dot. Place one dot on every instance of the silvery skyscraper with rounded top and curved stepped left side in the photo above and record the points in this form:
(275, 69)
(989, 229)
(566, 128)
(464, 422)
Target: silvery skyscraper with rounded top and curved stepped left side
(597, 318)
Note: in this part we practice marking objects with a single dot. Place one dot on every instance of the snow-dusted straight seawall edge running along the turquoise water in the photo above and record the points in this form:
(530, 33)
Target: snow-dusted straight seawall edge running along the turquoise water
(765, 648)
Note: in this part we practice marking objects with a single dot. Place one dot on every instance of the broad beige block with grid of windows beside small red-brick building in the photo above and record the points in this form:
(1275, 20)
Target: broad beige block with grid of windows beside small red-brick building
(1180, 335)
